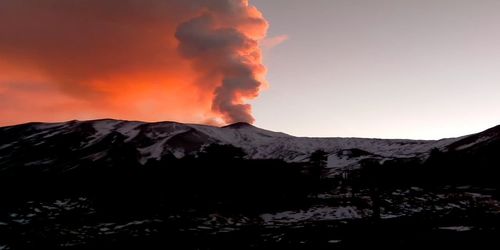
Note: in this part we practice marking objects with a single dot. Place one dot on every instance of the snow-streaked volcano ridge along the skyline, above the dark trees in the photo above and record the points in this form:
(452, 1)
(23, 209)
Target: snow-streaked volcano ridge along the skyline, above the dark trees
(45, 145)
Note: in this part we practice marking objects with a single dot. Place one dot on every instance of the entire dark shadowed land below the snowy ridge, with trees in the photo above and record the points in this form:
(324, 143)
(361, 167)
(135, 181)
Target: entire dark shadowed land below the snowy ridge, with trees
(54, 196)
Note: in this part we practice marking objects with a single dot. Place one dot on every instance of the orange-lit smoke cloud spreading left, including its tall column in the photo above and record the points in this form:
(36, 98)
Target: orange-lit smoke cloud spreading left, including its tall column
(186, 60)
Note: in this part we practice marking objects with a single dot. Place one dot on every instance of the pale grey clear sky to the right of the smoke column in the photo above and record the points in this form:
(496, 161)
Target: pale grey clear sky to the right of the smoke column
(420, 69)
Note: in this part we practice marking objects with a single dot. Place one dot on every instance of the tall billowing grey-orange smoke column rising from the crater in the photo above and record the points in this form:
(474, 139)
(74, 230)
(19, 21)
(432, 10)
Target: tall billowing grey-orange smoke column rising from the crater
(223, 43)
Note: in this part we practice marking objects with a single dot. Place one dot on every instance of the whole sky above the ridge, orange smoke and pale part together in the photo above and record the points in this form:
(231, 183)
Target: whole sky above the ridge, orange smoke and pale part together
(419, 69)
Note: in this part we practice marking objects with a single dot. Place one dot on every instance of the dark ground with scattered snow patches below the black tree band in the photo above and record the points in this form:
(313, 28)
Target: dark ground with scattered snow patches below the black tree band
(76, 223)
